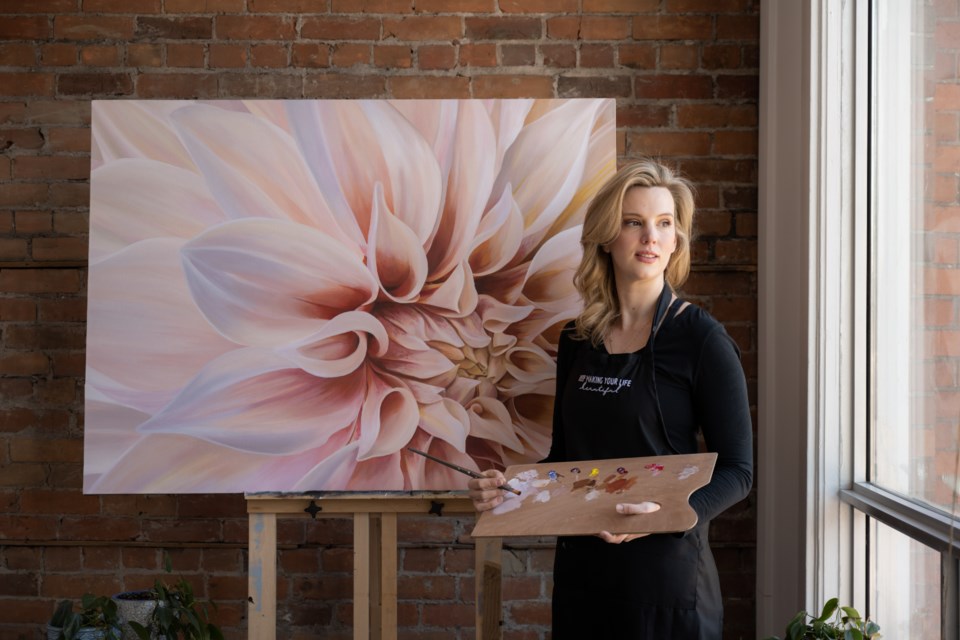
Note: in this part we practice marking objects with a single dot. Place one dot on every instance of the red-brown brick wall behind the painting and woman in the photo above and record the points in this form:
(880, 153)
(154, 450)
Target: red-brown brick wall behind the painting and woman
(685, 76)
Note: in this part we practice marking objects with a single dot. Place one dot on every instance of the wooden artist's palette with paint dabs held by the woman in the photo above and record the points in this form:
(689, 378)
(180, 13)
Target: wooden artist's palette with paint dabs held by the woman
(580, 498)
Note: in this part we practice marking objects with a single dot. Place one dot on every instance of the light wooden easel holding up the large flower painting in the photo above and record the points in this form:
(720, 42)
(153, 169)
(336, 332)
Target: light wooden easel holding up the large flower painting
(375, 557)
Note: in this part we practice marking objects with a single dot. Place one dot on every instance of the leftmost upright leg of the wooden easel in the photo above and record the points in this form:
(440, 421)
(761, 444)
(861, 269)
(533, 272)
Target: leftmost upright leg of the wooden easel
(262, 581)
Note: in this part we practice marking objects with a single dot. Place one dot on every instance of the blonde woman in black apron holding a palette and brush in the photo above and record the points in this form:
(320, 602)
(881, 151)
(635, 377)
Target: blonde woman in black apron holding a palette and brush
(684, 378)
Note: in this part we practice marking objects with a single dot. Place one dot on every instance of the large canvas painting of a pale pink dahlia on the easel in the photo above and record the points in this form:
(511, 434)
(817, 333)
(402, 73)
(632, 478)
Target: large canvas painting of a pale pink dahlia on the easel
(285, 295)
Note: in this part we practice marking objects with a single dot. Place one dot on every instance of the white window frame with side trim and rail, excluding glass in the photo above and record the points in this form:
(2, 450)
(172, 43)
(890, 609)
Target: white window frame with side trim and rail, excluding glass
(813, 397)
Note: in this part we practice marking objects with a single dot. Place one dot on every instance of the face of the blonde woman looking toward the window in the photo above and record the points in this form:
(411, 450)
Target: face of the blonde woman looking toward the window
(648, 235)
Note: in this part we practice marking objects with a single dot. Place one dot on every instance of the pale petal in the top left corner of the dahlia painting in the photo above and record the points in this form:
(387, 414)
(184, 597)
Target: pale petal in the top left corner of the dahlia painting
(136, 129)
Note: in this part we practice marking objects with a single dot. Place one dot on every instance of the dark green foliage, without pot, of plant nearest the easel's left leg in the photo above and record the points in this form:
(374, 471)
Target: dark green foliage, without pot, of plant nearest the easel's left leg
(178, 615)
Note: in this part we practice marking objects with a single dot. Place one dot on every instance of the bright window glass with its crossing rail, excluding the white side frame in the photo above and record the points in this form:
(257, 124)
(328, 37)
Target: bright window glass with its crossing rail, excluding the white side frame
(914, 320)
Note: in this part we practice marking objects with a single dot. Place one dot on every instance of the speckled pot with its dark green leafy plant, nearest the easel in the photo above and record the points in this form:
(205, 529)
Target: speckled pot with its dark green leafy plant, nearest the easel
(166, 612)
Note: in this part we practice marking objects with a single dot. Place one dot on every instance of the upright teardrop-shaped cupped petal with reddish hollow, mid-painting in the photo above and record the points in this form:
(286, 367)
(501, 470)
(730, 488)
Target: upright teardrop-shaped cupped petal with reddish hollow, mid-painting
(394, 254)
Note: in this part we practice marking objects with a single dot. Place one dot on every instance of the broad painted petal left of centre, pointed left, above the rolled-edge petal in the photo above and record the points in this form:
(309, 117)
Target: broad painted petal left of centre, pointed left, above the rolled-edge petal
(271, 282)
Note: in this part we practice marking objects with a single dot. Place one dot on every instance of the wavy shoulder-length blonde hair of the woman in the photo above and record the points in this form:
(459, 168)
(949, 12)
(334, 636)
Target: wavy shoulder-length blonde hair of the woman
(601, 226)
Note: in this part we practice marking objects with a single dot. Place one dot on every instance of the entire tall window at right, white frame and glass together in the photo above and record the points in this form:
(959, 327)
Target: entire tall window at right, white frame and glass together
(859, 385)
